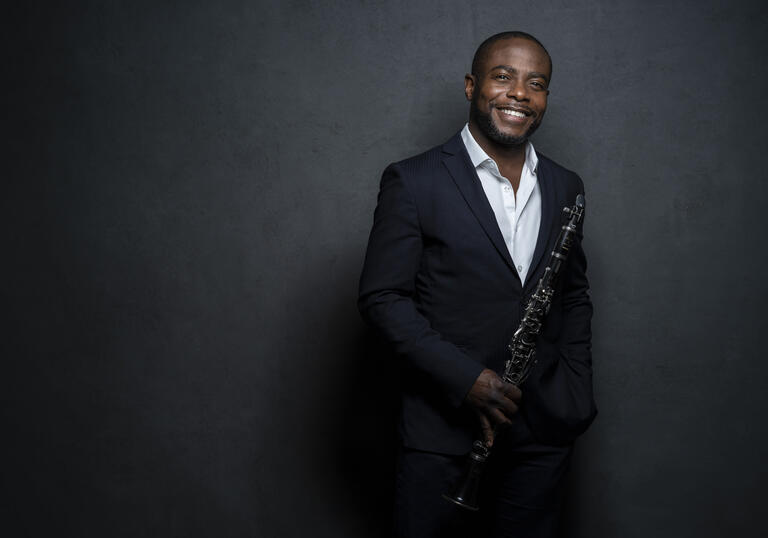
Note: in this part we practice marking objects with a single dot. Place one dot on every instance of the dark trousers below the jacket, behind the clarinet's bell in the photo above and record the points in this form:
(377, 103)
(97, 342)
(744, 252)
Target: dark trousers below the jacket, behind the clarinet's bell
(521, 493)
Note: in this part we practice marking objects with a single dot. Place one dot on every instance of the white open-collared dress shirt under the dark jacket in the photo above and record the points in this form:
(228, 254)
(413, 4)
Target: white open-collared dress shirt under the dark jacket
(518, 217)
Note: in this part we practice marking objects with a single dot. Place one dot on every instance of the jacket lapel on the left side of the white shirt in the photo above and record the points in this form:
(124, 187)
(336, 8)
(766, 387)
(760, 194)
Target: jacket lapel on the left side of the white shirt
(459, 165)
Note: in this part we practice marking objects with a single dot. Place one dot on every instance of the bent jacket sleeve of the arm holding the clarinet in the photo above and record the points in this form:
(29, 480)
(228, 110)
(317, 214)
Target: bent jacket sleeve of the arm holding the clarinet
(388, 287)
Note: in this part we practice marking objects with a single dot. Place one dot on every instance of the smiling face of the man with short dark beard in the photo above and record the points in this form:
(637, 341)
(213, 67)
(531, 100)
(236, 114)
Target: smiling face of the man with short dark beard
(509, 92)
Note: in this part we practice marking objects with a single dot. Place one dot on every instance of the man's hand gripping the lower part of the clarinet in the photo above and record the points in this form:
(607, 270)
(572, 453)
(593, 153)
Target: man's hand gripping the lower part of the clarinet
(494, 402)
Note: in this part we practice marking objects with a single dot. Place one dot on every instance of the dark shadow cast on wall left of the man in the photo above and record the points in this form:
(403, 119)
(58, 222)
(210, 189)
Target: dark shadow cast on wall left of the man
(351, 411)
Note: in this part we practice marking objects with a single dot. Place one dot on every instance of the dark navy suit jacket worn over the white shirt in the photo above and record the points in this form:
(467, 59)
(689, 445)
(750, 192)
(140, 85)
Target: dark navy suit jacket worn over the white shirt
(440, 285)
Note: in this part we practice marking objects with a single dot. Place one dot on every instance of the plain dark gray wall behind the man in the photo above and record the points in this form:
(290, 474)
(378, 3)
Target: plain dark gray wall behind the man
(187, 193)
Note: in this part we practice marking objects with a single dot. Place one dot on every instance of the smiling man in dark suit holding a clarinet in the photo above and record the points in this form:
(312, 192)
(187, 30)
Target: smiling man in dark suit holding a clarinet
(461, 236)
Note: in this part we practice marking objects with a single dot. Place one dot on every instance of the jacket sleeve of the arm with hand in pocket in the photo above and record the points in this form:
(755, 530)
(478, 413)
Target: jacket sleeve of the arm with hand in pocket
(564, 404)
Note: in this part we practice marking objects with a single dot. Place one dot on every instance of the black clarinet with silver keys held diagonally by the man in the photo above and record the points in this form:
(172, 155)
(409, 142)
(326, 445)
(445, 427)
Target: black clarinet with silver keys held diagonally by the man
(522, 349)
